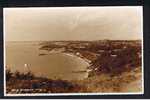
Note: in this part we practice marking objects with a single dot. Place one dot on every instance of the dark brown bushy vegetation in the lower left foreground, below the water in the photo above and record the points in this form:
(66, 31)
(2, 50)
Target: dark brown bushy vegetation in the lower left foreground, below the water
(28, 83)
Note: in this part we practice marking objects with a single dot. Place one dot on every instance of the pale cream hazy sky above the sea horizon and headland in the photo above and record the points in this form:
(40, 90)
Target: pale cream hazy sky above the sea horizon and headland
(73, 23)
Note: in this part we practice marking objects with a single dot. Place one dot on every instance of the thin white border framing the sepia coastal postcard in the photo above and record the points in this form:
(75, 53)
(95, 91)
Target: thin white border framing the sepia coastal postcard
(75, 94)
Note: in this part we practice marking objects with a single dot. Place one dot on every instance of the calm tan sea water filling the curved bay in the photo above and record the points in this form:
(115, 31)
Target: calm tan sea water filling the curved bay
(52, 65)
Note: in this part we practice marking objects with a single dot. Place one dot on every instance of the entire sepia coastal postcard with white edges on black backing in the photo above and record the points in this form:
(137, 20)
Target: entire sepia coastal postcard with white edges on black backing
(73, 50)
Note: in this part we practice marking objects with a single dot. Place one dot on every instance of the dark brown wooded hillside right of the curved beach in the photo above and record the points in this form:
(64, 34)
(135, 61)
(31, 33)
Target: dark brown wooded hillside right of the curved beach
(117, 62)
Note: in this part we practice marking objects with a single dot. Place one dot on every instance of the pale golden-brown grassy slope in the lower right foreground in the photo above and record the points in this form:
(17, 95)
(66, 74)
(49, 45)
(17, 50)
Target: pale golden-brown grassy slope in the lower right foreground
(126, 82)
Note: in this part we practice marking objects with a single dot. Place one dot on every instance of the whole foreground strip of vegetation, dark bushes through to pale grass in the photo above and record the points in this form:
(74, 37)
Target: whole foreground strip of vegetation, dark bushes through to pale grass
(98, 83)
